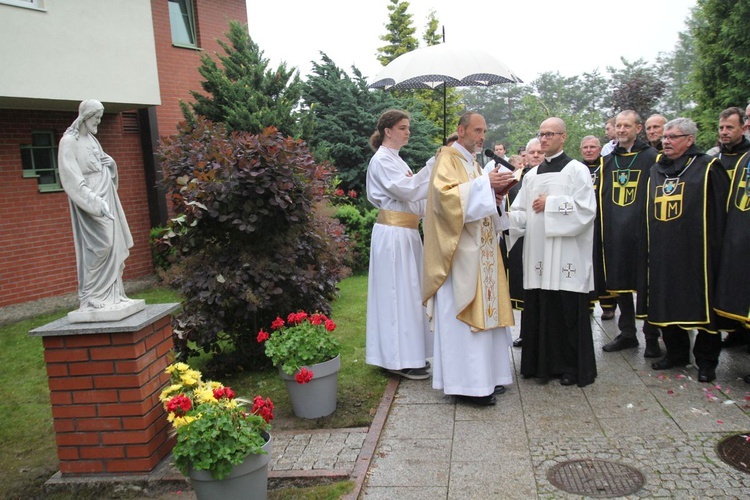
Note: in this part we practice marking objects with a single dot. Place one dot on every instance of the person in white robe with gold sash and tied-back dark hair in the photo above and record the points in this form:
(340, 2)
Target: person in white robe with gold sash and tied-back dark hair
(398, 337)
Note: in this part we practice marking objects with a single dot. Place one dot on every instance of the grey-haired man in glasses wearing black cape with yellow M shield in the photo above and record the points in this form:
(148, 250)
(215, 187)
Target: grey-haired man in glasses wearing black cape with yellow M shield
(686, 215)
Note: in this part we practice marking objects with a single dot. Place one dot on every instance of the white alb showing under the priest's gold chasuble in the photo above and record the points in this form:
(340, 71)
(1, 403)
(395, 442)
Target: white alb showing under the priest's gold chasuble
(465, 362)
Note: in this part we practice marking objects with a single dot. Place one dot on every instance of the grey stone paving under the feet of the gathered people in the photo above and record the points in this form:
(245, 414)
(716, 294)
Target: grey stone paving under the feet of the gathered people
(665, 424)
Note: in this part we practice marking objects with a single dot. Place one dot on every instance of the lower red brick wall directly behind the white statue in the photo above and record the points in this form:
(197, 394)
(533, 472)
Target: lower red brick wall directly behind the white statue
(37, 251)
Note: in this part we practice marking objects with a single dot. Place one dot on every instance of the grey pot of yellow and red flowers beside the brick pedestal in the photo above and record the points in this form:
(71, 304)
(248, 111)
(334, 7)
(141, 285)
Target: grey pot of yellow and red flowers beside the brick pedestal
(221, 445)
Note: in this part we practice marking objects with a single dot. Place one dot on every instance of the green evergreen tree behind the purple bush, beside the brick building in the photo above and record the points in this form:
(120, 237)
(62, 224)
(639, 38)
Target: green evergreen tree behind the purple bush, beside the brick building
(244, 93)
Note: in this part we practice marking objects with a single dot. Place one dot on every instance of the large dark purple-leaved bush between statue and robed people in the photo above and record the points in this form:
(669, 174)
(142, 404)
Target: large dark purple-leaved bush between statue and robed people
(251, 240)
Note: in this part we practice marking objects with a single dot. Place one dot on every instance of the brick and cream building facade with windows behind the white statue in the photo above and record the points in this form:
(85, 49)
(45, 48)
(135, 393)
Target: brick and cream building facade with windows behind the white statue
(140, 59)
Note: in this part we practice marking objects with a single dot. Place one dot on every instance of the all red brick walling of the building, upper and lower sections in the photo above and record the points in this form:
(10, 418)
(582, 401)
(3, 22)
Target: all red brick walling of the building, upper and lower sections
(36, 240)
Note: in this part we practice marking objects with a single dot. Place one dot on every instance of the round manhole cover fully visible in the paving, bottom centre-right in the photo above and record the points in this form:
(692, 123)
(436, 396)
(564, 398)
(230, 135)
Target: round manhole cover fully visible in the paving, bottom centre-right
(596, 478)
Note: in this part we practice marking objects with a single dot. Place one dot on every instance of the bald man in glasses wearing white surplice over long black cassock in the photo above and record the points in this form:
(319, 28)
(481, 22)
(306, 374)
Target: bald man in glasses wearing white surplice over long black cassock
(555, 211)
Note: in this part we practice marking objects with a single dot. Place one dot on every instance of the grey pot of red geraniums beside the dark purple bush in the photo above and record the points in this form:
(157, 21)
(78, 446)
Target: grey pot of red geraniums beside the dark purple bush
(308, 358)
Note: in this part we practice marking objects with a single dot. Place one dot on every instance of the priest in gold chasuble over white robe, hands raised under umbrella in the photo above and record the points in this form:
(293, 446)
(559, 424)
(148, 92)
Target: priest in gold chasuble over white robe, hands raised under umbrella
(465, 288)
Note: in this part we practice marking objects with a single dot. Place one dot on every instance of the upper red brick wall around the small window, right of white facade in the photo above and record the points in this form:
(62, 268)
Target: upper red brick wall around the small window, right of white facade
(178, 67)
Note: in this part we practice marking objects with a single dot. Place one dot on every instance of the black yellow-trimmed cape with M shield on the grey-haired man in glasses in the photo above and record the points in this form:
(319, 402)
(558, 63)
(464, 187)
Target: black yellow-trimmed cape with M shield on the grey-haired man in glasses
(686, 214)
